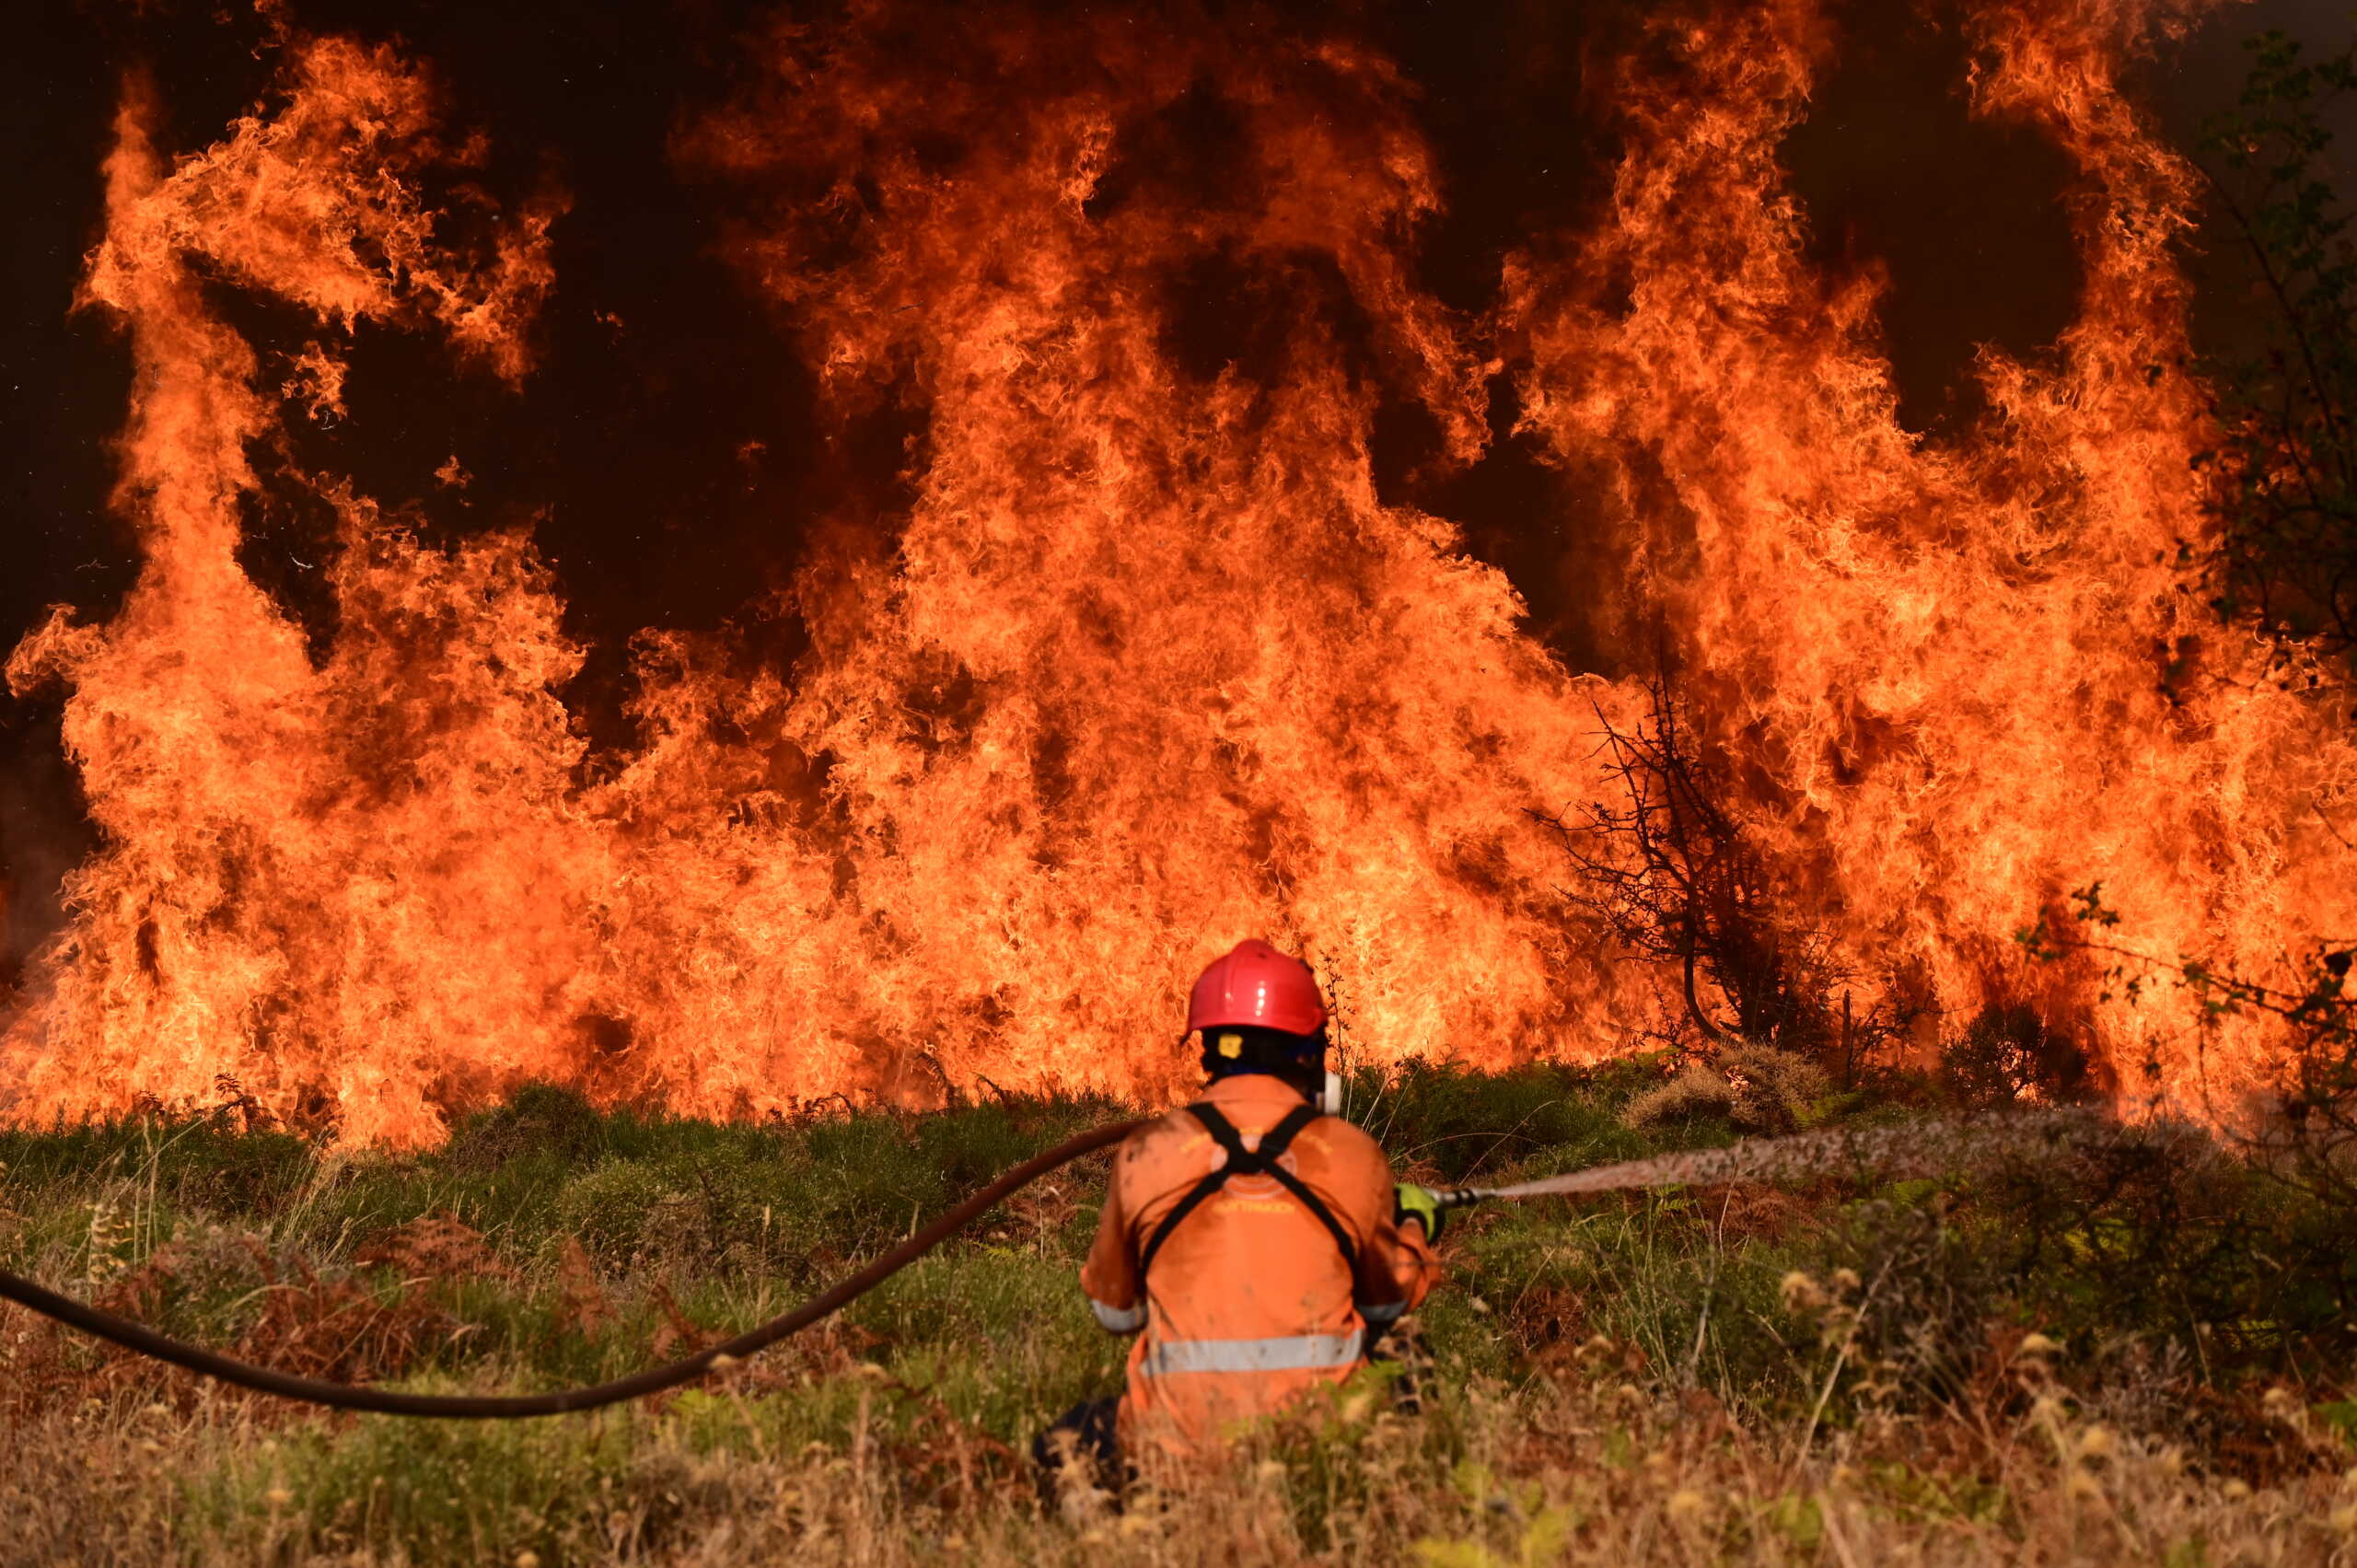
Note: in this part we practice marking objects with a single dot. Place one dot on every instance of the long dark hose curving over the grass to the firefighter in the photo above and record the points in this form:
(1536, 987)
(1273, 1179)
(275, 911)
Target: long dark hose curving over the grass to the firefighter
(508, 1406)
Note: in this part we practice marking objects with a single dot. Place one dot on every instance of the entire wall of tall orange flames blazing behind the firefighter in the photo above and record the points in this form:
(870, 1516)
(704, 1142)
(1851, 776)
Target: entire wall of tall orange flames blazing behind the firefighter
(1149, 664)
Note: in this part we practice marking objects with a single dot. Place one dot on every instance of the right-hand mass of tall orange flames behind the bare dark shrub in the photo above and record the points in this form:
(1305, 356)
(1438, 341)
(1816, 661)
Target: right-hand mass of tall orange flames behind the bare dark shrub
(1967, 673)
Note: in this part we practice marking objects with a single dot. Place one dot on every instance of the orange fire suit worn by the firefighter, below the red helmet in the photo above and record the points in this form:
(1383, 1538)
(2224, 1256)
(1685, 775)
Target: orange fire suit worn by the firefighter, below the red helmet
(1250, 1298)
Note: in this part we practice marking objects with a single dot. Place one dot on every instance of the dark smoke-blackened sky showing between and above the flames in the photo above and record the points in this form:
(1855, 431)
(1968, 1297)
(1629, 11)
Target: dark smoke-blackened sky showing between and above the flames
(628, 449)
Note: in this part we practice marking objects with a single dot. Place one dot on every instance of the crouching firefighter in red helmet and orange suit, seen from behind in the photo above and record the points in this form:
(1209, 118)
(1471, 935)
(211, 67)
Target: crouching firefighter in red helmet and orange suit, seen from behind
(1253, 1241)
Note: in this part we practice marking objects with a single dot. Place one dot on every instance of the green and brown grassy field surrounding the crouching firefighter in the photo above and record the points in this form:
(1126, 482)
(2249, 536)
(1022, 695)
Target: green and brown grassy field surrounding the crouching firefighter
(2122, 1355)
